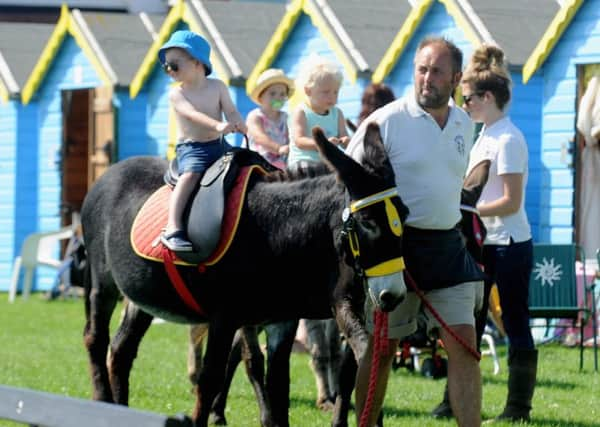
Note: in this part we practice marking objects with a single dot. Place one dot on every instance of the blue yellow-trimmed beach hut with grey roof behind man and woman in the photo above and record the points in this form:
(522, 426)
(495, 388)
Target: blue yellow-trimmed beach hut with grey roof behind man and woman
(515, 26)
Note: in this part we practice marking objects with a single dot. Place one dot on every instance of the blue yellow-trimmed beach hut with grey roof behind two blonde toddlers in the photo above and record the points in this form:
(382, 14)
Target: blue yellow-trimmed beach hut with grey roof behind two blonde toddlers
(324, 28)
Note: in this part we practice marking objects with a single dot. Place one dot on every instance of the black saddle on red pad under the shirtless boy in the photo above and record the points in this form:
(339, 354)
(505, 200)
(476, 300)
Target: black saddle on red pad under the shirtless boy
(204, 214)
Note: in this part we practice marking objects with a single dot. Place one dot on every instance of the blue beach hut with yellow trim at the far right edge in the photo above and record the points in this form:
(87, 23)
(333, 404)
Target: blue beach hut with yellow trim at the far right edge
(565, 59)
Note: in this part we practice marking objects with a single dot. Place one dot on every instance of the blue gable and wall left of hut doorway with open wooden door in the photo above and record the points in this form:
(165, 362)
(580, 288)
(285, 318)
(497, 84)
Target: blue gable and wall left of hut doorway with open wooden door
(40, 138)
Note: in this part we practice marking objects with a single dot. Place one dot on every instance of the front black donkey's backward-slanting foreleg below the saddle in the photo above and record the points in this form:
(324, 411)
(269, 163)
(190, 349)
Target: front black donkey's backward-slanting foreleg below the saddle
(212, 373)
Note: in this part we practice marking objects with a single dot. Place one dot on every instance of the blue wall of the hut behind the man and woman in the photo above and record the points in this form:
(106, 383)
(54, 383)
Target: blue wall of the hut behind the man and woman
(525, 109)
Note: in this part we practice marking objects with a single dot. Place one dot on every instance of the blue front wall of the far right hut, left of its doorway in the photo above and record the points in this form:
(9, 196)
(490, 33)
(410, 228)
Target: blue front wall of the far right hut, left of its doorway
(579, 44)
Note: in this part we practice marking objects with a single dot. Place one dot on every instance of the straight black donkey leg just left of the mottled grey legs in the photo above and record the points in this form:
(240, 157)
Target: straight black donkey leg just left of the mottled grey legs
(280, 339)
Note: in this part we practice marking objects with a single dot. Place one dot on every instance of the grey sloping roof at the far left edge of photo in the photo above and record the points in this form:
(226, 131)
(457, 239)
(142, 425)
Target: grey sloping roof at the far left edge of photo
(21, 44)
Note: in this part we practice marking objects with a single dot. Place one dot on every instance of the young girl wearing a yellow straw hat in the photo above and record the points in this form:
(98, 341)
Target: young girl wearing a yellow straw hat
(267, 125)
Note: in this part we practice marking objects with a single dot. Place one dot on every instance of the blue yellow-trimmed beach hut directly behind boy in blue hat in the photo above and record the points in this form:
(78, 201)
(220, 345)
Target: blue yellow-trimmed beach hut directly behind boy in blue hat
(237, 32)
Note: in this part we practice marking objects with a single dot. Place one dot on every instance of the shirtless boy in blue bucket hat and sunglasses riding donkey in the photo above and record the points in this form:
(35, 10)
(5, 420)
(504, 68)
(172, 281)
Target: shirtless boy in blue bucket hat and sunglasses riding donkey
(199, 104)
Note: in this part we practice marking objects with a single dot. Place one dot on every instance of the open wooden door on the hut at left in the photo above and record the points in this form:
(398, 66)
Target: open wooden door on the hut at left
(102, 133)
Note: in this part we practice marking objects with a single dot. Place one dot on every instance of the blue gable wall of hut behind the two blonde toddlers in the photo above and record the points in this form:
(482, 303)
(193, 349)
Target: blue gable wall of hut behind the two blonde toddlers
(305, 39)
